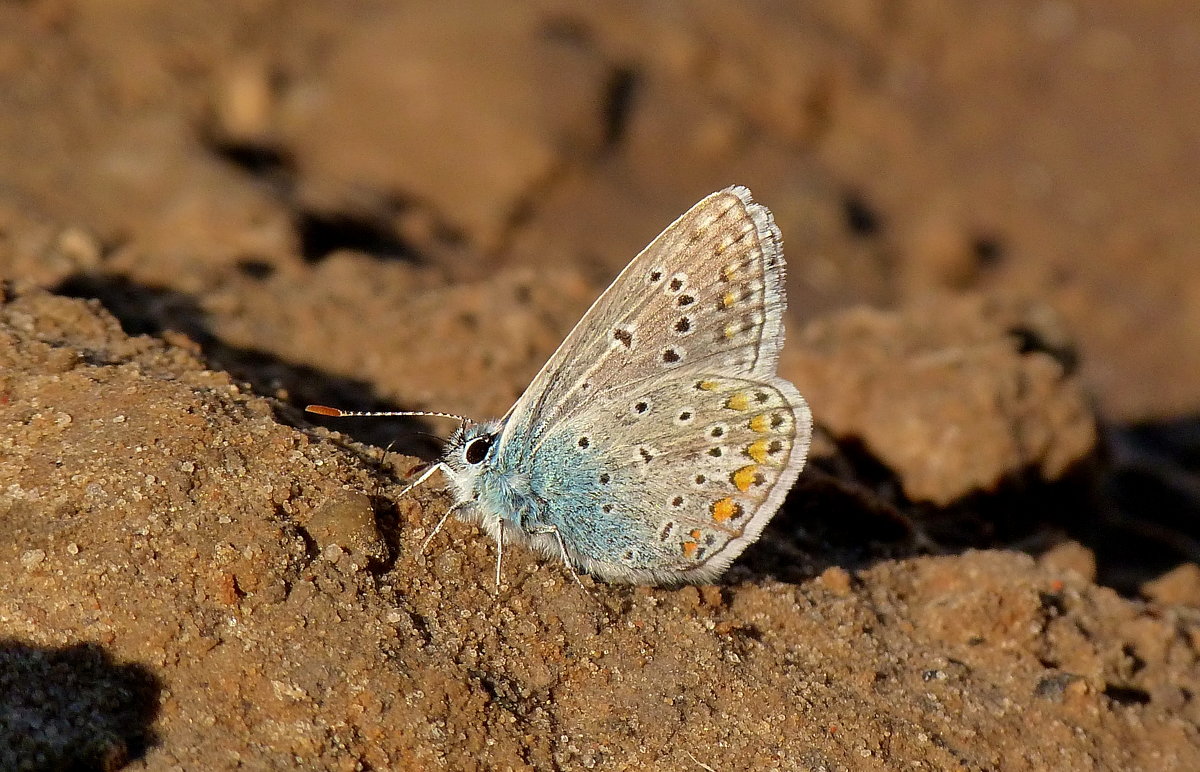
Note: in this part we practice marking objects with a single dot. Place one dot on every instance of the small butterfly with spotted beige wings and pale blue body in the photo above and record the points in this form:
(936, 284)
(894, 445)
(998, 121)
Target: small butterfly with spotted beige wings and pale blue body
(658, 441)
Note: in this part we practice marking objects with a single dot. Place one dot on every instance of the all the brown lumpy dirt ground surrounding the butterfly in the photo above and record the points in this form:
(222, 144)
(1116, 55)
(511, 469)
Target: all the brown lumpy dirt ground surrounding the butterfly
(213, 214)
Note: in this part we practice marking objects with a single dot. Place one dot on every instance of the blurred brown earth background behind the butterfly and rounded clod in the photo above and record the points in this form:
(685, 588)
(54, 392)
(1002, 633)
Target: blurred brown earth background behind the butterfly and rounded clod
(409, 205)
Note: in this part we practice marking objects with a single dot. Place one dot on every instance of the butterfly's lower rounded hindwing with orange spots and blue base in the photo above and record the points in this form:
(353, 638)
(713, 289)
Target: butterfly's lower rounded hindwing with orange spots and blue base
(673, 482)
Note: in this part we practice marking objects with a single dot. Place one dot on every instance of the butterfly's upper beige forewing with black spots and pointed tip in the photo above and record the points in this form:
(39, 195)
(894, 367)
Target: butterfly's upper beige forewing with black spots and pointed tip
(707, 295)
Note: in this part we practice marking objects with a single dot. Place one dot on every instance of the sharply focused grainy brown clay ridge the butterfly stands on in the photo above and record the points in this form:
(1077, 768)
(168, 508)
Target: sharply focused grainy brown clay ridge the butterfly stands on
(244, 603)
